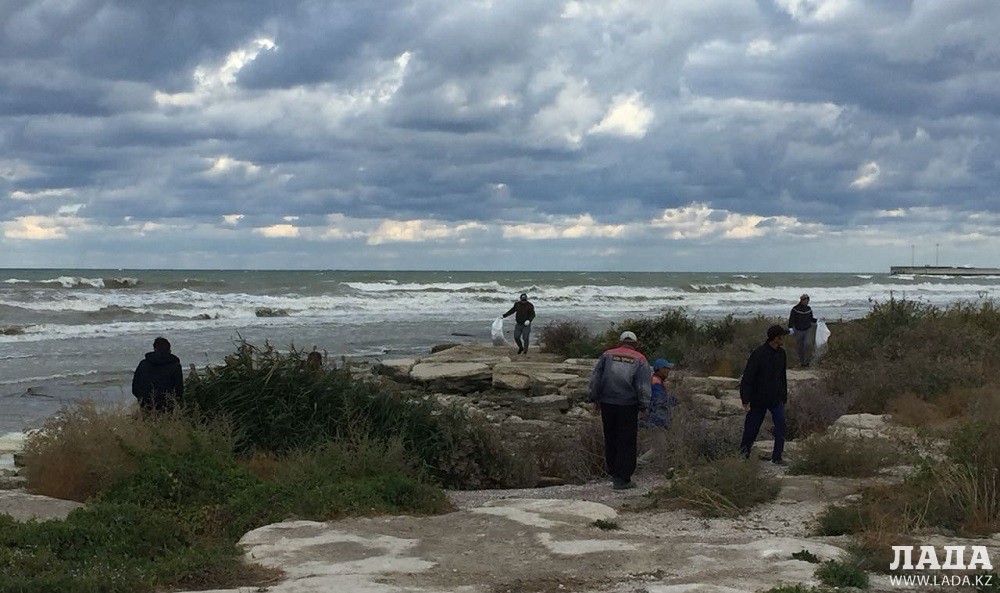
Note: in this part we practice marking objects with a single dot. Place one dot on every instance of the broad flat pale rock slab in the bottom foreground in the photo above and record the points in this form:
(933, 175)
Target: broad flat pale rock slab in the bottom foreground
(519, 545)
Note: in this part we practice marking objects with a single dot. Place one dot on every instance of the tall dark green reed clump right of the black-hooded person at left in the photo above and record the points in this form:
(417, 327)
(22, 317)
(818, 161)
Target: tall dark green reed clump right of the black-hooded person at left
(276, 404)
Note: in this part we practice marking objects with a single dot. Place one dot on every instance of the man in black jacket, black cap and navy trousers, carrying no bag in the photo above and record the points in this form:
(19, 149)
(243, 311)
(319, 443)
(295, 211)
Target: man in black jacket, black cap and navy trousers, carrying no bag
(763, 389)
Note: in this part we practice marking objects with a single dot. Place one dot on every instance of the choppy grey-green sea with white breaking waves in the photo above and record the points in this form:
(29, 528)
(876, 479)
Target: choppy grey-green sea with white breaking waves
(68, 335)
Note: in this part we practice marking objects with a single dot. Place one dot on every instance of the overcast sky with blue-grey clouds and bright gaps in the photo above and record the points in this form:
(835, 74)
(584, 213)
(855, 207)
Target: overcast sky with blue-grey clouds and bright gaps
(716, 135)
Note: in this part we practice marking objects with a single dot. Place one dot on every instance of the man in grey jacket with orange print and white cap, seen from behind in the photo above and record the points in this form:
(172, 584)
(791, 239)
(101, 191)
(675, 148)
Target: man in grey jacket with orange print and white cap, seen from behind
(620, 388)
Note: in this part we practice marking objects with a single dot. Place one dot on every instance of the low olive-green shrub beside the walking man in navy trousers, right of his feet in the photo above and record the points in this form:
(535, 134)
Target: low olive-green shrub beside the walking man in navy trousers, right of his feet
(839, 455)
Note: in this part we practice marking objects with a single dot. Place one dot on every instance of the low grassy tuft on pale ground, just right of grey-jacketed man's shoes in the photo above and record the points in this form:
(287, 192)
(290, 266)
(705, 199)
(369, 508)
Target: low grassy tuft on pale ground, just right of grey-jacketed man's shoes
(726, 487)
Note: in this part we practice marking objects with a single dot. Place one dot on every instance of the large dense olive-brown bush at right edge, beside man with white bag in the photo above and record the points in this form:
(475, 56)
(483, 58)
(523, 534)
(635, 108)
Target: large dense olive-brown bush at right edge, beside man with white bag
(904, 347)
